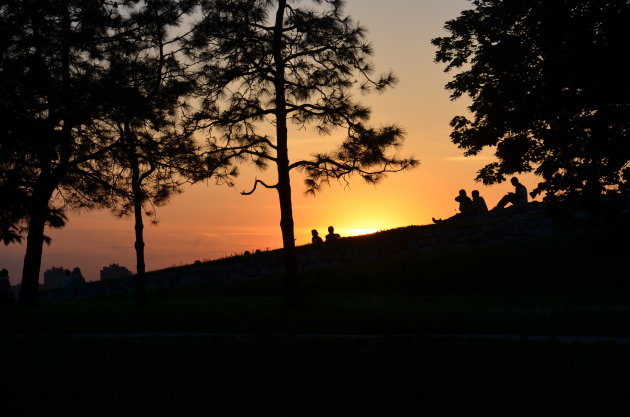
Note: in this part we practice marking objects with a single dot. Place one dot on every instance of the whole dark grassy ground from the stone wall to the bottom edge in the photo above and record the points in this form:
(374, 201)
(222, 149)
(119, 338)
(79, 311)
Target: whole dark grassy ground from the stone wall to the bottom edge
(400, 336)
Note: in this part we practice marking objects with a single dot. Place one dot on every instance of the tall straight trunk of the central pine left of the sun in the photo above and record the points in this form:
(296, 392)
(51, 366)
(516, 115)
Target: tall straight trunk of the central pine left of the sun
(292, 293)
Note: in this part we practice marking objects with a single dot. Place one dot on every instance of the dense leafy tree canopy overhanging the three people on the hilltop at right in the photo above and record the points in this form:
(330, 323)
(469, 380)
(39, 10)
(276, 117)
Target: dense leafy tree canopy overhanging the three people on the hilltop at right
(549, 90)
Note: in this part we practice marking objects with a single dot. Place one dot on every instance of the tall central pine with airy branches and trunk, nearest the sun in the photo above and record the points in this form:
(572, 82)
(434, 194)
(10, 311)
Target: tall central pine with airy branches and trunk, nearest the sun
(282, 62)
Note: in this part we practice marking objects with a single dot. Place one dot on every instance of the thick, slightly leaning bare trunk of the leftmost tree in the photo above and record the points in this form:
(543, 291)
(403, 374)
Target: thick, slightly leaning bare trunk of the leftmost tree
(34, 247)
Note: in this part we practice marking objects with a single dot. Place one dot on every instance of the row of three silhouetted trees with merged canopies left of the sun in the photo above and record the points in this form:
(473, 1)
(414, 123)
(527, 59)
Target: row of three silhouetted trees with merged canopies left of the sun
(117, 104)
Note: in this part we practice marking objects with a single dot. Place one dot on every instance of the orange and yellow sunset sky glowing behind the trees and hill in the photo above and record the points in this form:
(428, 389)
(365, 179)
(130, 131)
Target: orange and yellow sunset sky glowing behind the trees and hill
(209, 221)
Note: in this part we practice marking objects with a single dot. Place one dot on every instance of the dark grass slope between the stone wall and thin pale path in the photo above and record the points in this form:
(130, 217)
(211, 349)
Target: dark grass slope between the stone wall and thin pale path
(550, 286)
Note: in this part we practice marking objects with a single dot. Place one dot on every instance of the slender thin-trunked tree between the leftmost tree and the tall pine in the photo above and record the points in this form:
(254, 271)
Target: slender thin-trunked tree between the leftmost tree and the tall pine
(146, 82)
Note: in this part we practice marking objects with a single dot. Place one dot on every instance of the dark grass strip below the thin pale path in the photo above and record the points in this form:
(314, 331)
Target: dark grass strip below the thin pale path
(289, 376)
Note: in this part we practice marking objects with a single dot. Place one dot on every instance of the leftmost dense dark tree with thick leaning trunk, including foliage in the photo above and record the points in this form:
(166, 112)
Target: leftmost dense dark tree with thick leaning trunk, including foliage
(49, 66)
